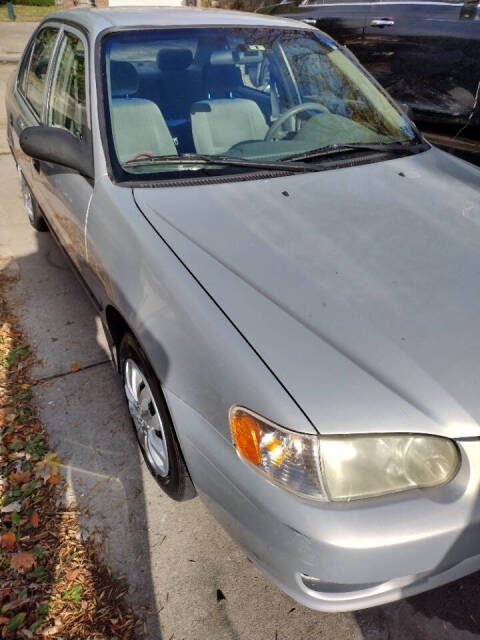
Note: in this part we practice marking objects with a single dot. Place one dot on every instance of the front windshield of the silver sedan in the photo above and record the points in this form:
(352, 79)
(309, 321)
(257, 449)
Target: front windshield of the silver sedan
(252, 93)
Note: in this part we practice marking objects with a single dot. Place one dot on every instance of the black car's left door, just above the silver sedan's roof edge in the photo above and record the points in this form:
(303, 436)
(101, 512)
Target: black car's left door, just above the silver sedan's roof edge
(343, 20)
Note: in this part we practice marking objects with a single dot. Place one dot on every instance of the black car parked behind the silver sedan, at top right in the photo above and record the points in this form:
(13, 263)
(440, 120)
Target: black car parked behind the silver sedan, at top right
(425, 53)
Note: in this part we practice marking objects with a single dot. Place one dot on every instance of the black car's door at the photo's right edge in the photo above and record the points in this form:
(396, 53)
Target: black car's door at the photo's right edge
(426, 55)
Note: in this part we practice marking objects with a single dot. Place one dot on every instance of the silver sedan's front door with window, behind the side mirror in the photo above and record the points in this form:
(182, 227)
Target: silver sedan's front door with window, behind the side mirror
(65, 194)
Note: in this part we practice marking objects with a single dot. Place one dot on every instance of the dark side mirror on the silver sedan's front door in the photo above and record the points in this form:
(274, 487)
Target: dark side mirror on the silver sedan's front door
(59, 146)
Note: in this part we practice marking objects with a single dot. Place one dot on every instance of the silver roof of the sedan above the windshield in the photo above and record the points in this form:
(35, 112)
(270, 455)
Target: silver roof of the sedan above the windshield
(96, 20)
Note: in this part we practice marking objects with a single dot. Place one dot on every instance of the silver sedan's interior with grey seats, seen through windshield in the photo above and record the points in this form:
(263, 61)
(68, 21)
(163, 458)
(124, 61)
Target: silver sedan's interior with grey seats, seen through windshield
(206, 99)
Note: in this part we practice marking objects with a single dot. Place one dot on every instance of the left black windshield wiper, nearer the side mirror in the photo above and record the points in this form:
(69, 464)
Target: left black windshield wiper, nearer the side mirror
(202, 158)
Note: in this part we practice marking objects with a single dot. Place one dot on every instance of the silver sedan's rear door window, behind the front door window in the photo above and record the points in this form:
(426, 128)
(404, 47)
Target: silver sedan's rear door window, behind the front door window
(34, 82)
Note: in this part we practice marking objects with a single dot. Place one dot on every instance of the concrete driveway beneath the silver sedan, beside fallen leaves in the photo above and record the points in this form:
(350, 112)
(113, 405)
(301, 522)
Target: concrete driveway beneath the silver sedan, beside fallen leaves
(175, 556)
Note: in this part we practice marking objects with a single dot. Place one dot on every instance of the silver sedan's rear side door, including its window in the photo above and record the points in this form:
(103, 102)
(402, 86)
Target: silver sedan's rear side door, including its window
(29, 96)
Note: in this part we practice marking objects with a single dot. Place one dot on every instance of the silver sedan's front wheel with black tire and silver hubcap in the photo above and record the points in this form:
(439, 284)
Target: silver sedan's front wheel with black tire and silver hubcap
(152, 423)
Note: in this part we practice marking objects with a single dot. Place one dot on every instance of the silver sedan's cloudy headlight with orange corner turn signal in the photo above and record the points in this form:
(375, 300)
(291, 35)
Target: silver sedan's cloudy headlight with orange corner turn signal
(342, 467)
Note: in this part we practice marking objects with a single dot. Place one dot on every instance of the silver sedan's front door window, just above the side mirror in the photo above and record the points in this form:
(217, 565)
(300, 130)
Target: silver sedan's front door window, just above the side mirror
(68, 101)
